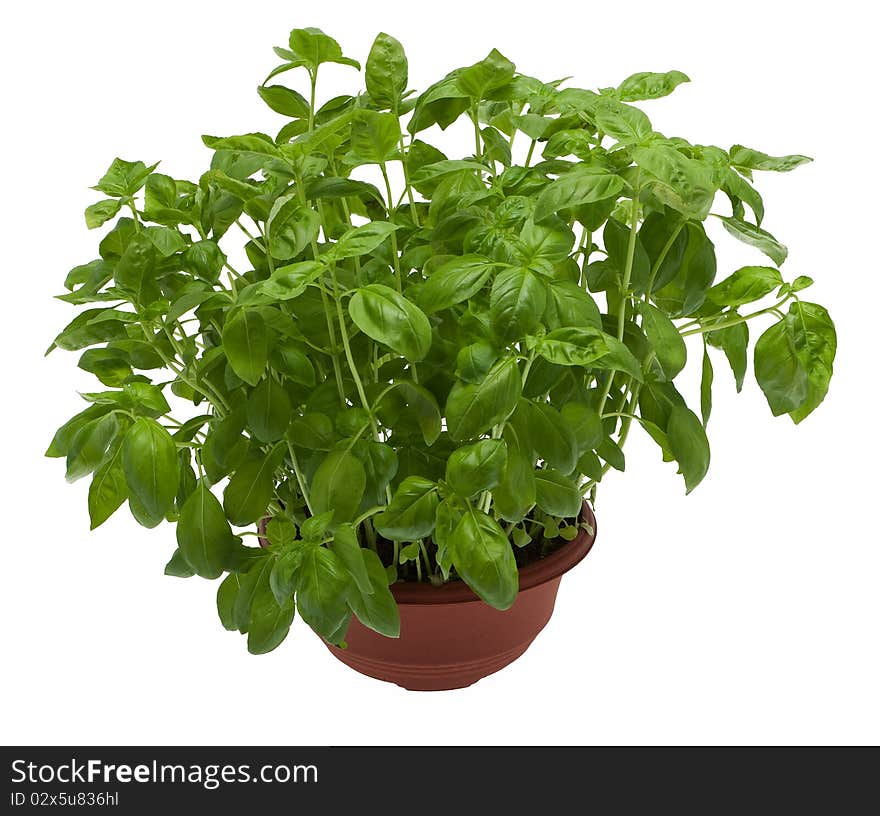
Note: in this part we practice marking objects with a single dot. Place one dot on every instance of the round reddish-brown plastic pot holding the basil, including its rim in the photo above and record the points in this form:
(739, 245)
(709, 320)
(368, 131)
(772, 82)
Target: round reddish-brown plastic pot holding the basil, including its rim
(449, 638)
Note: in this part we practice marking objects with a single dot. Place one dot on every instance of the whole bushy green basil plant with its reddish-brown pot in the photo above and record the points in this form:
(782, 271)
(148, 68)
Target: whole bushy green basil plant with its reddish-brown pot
(403, 389)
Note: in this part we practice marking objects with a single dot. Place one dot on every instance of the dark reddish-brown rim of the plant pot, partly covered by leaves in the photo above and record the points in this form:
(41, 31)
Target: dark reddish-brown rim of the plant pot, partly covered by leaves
(539, 572)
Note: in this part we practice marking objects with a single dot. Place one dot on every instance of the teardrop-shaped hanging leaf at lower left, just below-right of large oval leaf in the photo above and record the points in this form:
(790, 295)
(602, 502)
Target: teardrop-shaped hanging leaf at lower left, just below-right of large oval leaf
(203, 533)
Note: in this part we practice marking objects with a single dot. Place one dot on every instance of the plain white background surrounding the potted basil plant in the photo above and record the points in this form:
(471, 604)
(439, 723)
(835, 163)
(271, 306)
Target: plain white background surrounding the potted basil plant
(744, 613)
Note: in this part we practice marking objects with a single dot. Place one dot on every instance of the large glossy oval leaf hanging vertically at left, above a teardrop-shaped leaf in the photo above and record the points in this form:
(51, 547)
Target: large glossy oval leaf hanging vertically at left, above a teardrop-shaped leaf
(149, 460)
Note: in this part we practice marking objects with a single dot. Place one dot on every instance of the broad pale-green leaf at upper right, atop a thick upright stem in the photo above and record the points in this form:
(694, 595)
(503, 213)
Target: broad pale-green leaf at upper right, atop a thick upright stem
(687, 185)
